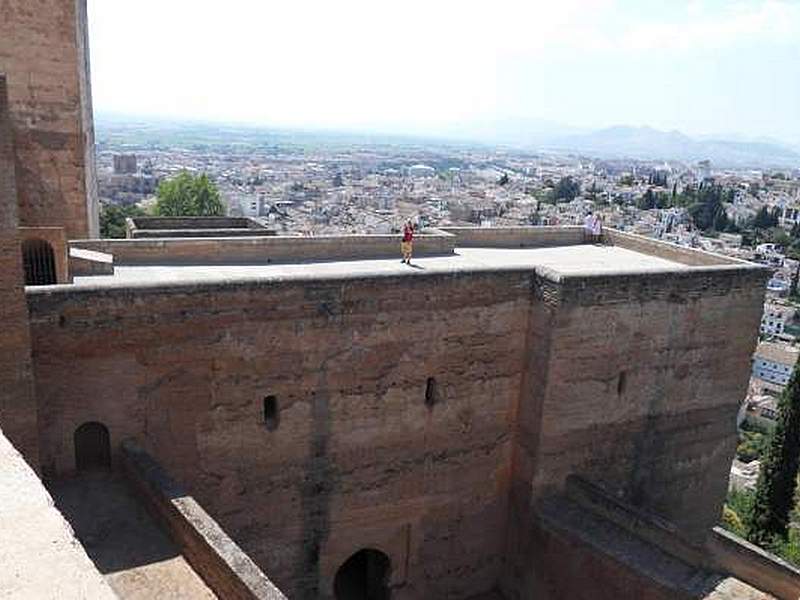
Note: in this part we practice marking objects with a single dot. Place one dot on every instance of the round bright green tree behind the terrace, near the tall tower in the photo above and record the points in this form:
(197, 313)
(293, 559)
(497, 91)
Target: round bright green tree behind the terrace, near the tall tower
(186, 195)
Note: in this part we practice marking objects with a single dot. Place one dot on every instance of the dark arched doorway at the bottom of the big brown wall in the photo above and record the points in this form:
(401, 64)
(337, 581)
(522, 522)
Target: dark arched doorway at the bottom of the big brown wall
(364, 576)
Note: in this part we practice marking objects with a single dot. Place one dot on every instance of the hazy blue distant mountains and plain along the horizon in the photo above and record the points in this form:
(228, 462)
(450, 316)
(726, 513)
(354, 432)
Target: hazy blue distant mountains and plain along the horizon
(529, 134)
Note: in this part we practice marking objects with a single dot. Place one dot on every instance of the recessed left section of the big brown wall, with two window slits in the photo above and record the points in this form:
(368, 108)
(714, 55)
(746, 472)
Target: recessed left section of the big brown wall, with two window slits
(358, 459)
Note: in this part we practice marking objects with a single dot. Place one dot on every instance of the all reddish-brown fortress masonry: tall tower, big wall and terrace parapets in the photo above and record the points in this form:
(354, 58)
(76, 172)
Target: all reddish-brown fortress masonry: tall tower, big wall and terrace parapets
(437, 417)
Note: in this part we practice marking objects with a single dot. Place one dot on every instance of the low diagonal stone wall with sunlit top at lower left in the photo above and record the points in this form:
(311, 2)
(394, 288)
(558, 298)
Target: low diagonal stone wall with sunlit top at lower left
(227, 570)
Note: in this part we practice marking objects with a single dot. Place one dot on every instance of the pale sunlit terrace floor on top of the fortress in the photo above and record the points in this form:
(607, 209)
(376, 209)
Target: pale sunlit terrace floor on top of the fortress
(561, 260)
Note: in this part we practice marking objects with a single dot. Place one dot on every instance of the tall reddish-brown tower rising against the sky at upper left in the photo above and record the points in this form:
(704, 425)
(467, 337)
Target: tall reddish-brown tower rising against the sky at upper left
(44, 53)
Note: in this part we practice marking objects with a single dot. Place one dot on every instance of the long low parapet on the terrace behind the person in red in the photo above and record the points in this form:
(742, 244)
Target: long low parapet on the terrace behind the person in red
(264, 250)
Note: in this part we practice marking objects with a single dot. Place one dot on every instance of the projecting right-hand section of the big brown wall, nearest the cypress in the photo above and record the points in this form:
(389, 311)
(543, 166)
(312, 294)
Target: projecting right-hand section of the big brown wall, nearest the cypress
(635, 386)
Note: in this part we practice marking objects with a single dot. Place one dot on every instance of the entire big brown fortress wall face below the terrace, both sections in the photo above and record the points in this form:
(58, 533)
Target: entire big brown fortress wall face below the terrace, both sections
(629, 380)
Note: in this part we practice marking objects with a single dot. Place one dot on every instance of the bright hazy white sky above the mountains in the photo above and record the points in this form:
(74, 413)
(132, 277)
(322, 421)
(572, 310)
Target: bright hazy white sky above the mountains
(714, 66)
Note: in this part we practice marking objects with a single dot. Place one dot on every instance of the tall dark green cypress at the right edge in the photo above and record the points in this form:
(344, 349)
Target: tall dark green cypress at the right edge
(774, 500)
